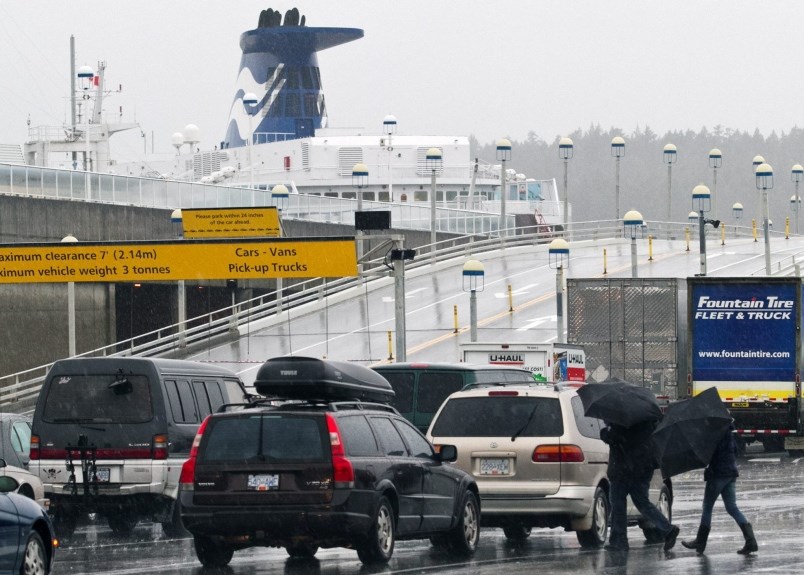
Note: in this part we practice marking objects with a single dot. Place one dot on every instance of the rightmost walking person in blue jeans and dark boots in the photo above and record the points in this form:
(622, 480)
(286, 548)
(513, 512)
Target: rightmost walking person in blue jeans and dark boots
(721, 481)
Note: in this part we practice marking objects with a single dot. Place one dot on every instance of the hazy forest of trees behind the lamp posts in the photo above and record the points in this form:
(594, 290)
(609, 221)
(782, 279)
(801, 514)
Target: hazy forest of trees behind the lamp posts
(644, 173)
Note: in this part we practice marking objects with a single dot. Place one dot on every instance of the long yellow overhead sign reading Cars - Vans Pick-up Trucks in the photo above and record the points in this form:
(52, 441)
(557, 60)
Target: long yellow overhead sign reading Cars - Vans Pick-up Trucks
(178, 260)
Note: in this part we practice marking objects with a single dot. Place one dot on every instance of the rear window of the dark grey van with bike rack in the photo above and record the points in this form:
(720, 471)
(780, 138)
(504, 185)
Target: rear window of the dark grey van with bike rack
(106, 398)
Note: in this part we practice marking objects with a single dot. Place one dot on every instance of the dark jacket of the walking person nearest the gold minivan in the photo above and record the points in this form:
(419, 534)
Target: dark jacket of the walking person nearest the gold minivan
(631, 449)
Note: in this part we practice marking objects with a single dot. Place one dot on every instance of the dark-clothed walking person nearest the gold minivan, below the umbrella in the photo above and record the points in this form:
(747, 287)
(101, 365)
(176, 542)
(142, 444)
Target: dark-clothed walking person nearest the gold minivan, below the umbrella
(631, 464)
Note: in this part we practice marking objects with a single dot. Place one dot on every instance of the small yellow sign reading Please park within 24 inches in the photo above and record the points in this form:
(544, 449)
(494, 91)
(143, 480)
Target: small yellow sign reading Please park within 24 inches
(230, 222)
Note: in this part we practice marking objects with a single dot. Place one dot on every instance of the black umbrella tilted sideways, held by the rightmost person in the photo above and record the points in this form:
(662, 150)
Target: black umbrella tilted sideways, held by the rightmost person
(689, 432)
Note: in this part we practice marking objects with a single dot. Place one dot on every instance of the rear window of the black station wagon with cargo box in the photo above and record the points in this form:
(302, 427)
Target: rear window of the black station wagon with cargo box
(270, 438)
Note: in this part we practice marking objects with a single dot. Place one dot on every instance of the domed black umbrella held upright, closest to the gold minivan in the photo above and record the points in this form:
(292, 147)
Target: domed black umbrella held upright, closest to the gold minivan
(619, 402)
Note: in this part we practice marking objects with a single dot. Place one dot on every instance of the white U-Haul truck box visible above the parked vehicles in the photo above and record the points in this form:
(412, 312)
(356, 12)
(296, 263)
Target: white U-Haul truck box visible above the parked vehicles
(547, 361)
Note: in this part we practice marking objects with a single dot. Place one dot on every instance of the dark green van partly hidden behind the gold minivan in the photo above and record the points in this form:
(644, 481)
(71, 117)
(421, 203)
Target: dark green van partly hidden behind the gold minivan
(421, 388)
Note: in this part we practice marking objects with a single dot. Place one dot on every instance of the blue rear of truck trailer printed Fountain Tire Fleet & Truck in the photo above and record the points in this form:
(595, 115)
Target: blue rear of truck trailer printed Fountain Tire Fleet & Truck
(745, 340)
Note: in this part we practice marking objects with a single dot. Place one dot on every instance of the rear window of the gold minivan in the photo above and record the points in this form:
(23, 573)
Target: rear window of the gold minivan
(500, 416)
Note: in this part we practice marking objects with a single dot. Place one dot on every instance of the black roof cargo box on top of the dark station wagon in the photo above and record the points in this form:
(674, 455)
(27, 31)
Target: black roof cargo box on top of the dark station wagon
(296, 377)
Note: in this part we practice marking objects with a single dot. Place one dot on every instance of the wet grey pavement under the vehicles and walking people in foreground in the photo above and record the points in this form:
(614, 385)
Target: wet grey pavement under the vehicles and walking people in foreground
(768, 493)
